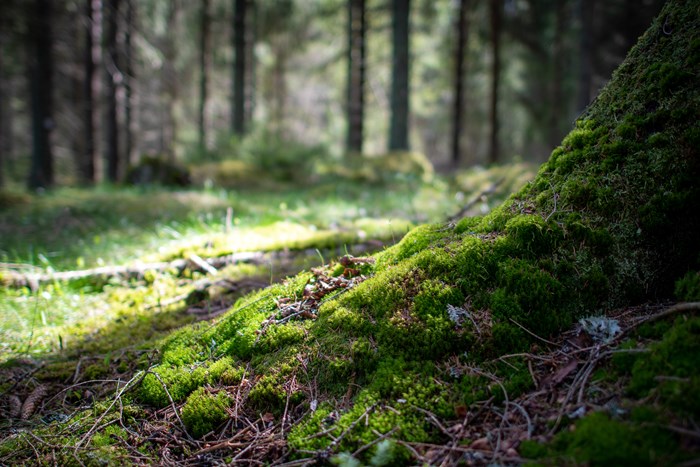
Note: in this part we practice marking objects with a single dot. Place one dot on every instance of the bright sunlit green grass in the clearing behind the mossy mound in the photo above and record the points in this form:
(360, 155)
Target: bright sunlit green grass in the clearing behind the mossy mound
(69, 229)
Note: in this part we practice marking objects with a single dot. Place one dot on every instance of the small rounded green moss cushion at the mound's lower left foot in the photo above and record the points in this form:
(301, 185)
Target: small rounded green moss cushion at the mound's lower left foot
(204, 411)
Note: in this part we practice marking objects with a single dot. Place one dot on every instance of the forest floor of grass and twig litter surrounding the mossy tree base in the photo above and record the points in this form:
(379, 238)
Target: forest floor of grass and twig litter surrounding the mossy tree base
(147, 262)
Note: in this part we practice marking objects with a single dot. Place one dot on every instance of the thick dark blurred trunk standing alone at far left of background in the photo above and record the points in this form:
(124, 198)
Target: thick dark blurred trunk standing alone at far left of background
(41, 89)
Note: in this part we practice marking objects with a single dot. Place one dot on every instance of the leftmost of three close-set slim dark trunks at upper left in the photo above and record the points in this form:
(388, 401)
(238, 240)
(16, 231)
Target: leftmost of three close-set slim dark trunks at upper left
(87, 164)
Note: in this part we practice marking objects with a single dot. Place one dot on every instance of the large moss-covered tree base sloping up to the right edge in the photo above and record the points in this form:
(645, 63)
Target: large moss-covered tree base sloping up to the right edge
(612, 219)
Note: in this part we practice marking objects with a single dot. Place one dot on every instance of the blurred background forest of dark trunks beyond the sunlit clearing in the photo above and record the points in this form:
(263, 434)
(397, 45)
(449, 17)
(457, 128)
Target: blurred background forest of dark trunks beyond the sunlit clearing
(89, 87)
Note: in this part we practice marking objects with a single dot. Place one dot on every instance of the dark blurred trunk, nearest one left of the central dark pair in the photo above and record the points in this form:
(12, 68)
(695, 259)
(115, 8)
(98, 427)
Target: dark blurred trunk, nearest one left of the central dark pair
(238, 93)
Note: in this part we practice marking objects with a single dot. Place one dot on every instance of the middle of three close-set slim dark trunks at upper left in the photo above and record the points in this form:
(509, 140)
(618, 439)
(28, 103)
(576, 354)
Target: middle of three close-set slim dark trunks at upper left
(112, 79)
